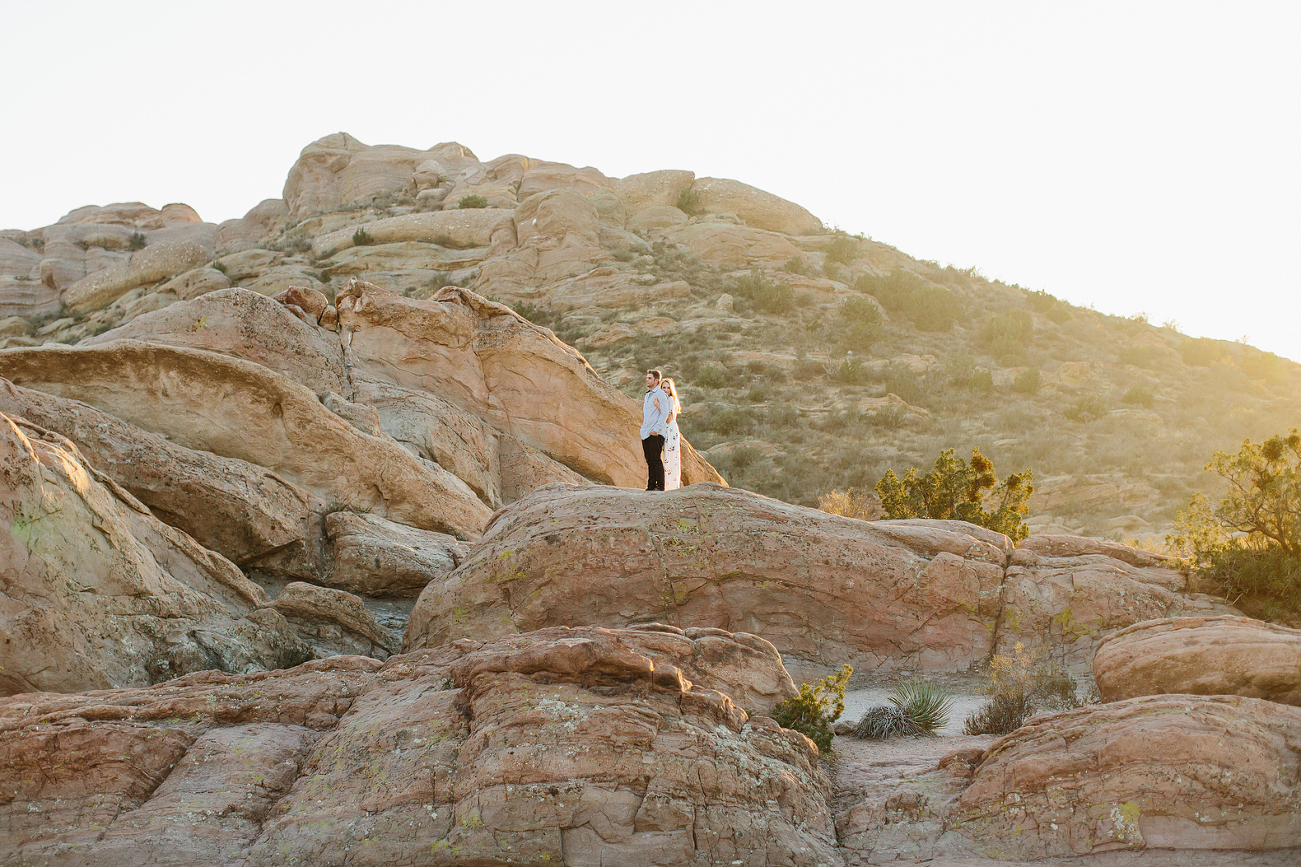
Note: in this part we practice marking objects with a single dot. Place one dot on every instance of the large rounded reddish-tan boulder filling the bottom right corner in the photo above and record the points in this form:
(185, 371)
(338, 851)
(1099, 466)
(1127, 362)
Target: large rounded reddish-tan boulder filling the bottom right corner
(1147, 774)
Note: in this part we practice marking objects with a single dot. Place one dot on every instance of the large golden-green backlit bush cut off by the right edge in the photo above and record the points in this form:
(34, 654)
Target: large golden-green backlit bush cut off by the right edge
(1250, 545)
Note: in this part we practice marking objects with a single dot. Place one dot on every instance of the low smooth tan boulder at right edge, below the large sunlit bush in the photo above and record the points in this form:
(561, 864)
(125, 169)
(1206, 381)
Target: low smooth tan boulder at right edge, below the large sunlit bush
(1201, 657)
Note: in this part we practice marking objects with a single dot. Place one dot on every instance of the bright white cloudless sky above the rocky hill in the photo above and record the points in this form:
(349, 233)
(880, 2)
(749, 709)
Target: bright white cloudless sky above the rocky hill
(1135, 157)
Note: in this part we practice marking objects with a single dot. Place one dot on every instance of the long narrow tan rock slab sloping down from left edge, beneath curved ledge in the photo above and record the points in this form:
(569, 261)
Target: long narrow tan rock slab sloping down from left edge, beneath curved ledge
(244, 512)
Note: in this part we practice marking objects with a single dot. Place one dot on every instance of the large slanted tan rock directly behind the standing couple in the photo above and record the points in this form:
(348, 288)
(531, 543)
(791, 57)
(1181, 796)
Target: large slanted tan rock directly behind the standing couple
(490, 363)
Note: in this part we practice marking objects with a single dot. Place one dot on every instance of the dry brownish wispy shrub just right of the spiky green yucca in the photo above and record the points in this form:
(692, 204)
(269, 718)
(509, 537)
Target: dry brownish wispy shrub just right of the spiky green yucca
(1019, 685)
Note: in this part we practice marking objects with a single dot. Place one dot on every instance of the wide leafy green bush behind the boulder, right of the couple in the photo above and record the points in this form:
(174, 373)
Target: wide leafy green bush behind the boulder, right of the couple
(954, 491)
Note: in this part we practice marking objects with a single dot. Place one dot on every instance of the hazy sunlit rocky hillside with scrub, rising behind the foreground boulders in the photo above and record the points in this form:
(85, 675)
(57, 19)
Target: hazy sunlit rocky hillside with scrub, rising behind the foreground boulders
(810, 360)
